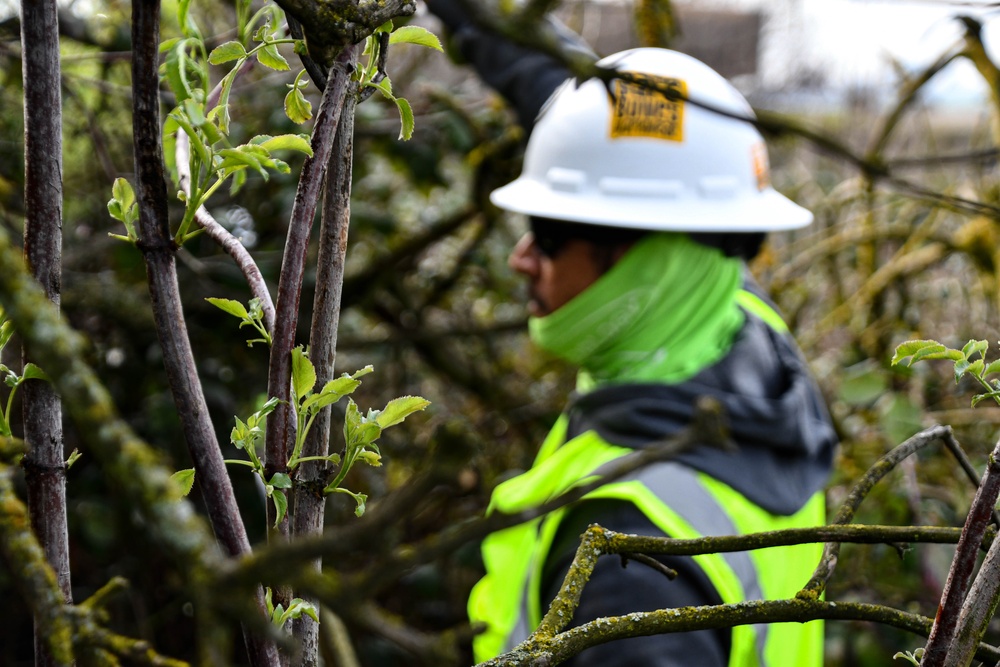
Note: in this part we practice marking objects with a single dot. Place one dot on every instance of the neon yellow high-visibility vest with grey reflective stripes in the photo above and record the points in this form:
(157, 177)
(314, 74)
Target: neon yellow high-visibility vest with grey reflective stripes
(683, 503)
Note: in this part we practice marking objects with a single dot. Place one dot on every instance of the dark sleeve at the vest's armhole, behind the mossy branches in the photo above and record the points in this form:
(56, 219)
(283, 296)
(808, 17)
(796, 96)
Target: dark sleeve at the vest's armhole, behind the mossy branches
(614, 590)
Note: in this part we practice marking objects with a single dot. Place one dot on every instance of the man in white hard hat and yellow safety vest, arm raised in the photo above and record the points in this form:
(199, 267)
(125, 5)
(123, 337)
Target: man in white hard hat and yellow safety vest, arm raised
(642, 210)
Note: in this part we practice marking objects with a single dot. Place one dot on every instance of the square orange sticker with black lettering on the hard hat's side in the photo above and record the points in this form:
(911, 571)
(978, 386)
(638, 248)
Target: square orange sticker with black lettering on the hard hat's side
(639, 111)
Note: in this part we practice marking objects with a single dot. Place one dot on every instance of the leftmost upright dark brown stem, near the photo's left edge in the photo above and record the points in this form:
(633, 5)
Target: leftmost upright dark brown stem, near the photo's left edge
(44, 464)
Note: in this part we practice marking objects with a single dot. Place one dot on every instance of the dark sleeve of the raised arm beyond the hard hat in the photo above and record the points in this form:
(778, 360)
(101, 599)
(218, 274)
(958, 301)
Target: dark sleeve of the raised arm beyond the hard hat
(525, 78)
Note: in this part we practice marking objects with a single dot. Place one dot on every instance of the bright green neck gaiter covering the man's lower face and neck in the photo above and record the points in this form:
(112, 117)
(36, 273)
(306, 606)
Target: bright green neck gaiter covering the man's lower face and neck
(663, 312)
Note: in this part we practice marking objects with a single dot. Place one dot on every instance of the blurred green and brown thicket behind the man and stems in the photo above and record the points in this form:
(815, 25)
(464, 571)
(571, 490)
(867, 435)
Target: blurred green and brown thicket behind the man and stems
(430, 302)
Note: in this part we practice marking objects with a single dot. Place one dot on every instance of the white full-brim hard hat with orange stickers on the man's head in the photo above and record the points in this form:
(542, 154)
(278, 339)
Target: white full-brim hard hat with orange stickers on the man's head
(641, 161)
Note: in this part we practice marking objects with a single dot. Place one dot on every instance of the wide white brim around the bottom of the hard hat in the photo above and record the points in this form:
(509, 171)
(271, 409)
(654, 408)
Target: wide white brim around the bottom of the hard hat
(759, 211)
